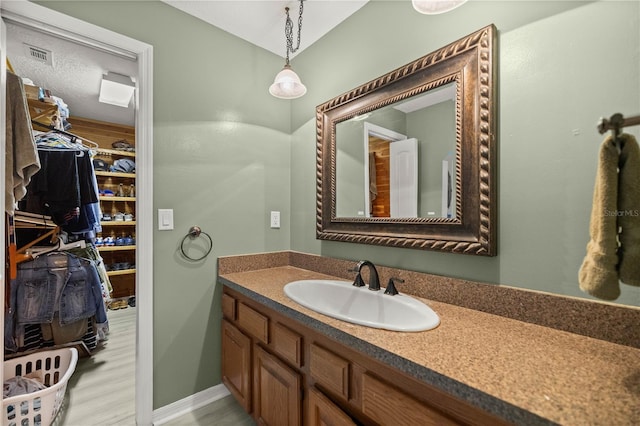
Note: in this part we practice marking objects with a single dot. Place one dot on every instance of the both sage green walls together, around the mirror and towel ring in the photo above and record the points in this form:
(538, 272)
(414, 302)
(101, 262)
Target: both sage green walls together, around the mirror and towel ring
(226, 153)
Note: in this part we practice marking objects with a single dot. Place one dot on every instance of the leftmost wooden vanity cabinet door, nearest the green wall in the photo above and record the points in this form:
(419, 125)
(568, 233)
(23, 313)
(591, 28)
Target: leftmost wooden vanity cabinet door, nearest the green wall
(236, 364)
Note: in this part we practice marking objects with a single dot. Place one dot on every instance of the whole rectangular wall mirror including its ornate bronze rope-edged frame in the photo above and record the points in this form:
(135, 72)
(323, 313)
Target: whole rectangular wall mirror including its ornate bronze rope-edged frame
(408, 159)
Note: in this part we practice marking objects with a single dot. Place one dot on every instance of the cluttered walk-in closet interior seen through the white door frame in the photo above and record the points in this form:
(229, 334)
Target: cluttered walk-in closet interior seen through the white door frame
(70, 223)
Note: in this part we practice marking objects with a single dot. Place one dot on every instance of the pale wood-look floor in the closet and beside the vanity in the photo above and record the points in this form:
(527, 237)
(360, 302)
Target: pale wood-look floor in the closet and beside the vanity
(101, 391)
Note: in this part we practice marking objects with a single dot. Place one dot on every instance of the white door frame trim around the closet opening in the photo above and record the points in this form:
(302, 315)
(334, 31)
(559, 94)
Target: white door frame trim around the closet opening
(54, 24)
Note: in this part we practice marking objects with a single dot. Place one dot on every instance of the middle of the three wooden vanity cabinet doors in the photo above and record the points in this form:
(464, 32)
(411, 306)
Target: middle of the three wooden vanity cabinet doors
(276, 390)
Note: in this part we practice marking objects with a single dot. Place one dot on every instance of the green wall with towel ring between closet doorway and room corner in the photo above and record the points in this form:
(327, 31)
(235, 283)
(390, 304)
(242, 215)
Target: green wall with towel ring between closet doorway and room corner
(221, 161)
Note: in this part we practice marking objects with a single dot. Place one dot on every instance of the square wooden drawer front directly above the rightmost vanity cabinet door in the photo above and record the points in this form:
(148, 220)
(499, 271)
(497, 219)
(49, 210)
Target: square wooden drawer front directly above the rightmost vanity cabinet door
(329, 370)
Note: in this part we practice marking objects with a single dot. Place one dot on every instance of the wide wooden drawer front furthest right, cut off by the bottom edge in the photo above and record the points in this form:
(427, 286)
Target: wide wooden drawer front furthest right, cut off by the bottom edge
(385, 404)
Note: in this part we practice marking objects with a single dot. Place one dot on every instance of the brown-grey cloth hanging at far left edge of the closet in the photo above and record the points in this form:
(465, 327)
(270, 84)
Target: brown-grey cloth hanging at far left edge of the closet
(21, 157)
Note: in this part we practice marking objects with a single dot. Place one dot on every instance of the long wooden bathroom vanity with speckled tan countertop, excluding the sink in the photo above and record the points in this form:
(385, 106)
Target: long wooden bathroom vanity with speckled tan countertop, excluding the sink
(288, 365)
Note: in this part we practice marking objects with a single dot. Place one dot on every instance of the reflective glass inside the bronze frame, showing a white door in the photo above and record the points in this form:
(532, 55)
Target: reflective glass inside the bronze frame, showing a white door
(399, 160)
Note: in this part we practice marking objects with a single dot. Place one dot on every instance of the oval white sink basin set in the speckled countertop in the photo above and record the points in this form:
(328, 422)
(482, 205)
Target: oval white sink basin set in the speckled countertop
(359, 305)
